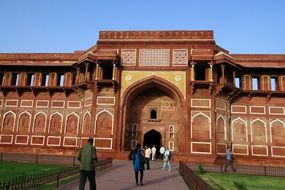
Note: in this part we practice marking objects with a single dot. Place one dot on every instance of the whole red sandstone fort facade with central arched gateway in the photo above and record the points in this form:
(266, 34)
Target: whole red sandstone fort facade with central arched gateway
(173, 88)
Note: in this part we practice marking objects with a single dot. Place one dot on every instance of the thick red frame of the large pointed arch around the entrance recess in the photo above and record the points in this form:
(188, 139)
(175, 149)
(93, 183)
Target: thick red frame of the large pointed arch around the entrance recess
(141, 87)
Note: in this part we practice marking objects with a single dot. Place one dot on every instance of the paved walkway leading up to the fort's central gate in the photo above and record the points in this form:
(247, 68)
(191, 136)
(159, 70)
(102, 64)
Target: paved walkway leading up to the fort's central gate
(121, 177)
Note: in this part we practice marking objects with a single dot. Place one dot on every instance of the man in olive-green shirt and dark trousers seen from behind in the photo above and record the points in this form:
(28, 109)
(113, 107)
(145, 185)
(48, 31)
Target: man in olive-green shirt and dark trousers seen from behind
(87, 157)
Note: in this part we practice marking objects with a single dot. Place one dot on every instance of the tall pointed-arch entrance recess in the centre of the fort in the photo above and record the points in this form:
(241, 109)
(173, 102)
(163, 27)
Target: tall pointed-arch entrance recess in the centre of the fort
(151, 107)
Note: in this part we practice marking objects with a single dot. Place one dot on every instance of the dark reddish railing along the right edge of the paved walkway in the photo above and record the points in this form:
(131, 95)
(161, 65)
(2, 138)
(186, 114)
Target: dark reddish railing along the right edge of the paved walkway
(192, 180)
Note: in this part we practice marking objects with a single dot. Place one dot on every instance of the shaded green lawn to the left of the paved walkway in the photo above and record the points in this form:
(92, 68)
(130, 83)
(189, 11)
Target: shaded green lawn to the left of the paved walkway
(10, 170)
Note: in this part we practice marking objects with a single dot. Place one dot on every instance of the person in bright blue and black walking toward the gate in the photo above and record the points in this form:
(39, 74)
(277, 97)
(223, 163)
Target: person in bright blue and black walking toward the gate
(138, 162)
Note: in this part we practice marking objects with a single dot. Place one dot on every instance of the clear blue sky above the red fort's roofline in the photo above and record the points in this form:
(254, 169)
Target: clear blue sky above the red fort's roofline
(241, 26)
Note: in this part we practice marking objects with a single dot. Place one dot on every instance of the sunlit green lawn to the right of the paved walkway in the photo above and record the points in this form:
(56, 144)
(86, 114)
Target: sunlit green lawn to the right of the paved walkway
(224, 181)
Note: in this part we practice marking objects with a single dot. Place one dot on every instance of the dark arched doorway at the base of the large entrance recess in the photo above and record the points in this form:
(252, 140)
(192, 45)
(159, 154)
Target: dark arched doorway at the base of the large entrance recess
(151, 138)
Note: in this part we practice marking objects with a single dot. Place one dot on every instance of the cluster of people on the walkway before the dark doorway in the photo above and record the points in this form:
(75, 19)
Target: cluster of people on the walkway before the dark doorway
(140, 158)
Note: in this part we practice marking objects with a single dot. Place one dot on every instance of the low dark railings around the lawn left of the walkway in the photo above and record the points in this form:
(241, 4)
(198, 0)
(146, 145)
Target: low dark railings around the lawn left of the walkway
(50, 178)
